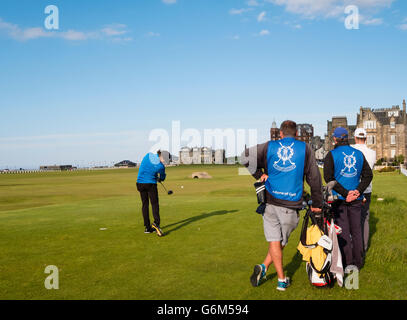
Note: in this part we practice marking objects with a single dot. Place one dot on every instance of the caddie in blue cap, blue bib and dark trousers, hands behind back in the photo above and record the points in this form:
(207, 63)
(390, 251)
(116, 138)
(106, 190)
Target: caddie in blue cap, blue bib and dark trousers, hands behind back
(349, 168)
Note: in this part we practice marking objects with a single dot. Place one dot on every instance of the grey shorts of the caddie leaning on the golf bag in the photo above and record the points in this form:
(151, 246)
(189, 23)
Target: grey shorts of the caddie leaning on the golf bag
(279, 222)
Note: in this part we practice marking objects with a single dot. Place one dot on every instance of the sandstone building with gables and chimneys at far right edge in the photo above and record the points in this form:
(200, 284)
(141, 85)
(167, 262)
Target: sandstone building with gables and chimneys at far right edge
(386, 130)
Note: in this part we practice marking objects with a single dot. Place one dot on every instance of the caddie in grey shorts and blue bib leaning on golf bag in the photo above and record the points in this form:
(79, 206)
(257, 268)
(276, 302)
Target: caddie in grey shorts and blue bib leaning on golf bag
(282, 165)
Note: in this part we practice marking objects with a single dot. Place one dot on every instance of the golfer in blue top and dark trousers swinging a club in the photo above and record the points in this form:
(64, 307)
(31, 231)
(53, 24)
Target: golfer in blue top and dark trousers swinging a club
(152, 170)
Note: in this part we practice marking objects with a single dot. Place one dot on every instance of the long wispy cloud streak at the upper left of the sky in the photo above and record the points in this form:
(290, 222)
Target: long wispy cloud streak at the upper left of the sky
(111, 32)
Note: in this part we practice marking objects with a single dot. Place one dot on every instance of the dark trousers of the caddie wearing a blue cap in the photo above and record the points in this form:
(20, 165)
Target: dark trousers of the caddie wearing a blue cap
(349, 218)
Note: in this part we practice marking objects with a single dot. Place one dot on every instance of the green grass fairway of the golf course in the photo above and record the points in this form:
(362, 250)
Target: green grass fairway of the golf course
(213, 239)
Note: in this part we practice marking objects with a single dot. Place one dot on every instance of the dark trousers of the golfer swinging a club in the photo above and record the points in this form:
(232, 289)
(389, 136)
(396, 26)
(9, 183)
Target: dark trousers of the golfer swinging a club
(148, 191)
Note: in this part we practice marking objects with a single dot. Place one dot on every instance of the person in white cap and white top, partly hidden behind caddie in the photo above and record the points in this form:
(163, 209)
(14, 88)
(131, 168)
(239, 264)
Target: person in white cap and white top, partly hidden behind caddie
(370, 156)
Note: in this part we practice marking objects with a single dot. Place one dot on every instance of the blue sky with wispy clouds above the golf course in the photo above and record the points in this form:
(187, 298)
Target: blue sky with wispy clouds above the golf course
(92, 91)
